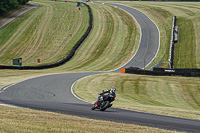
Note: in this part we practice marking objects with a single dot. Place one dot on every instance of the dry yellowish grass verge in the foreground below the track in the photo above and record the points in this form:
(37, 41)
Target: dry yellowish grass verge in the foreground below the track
(26, 120)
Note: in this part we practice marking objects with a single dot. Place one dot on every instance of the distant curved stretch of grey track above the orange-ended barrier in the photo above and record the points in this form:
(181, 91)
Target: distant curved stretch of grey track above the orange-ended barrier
(149, 41)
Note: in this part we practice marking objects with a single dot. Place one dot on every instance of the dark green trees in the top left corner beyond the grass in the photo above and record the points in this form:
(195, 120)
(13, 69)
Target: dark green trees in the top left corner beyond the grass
(6, 5)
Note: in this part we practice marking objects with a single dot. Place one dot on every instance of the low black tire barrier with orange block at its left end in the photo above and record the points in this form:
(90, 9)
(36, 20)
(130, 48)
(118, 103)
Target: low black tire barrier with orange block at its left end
(163, 72)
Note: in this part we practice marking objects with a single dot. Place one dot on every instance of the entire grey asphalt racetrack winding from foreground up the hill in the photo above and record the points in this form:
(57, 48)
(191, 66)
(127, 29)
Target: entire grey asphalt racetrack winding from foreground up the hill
(53, 92)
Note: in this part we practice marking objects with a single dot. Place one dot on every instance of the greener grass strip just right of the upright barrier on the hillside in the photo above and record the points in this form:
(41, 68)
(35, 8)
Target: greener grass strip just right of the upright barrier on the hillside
(185, 58)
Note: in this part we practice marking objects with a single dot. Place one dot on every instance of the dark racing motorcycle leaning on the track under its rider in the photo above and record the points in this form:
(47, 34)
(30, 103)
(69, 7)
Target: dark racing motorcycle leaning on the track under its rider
(103, 102)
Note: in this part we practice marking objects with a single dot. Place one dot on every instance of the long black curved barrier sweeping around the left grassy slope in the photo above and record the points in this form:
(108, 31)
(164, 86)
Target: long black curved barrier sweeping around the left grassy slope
(62, 61)
